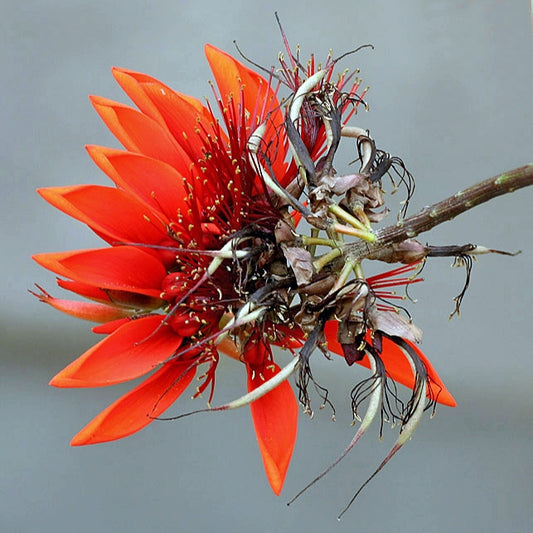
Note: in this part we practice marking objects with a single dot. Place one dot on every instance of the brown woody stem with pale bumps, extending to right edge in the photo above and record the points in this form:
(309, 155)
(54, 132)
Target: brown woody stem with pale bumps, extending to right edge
(443, 211)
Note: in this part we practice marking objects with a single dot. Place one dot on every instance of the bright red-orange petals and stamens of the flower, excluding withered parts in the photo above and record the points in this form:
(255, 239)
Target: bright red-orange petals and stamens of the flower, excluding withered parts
(191, 230)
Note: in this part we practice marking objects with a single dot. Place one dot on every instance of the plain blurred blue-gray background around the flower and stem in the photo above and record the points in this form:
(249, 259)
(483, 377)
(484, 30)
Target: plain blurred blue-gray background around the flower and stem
(451, 94)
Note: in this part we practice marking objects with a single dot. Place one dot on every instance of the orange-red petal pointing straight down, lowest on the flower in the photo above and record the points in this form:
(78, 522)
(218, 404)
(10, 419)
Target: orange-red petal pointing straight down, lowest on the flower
(275, 418)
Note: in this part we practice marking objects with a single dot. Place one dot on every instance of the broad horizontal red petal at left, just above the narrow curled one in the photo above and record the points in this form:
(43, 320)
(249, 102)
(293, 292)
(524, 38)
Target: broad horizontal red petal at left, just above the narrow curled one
(124, 268)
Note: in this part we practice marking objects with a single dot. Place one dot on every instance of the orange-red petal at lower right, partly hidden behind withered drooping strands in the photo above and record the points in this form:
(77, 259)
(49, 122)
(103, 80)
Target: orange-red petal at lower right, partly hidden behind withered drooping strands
(397, 365)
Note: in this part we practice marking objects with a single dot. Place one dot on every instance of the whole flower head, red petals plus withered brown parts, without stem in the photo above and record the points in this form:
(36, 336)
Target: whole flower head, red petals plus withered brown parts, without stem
(224, 233)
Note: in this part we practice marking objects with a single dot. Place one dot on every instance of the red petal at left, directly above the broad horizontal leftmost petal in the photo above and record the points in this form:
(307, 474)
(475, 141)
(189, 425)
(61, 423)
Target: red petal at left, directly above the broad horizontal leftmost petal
(111, 212)
